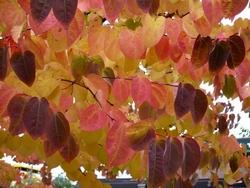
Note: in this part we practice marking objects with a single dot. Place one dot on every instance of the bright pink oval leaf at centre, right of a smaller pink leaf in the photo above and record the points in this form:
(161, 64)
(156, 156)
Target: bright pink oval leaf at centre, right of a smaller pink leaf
(140, 90)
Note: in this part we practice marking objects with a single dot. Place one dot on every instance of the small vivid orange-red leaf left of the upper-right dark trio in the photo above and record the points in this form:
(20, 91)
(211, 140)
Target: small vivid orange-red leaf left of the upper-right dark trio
(162, 48)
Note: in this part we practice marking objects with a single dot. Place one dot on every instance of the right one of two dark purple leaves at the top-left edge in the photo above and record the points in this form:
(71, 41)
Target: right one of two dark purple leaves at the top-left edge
(65, 10)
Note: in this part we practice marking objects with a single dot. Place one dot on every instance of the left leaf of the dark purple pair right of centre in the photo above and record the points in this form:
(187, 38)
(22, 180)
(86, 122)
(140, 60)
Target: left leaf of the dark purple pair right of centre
(184, 99)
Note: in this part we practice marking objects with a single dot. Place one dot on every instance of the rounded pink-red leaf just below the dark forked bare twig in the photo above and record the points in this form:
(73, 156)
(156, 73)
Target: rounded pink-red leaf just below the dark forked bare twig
(92, 118)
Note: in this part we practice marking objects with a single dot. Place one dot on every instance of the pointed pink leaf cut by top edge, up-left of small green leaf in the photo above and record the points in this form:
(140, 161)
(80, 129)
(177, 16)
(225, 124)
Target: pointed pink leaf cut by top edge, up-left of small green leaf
(113, 8)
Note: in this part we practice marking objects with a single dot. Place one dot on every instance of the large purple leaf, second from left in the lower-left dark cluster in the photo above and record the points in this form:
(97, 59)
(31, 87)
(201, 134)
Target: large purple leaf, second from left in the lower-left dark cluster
(36, 116)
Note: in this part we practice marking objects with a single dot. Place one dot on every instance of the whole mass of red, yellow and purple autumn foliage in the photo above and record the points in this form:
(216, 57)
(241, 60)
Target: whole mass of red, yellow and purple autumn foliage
(115, 84)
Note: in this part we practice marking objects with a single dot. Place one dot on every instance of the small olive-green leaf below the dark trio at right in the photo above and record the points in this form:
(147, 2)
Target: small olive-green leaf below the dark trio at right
(229, 86)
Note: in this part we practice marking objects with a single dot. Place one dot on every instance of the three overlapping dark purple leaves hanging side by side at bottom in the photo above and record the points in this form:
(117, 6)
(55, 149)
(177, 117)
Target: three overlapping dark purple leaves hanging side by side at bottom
(166, 157)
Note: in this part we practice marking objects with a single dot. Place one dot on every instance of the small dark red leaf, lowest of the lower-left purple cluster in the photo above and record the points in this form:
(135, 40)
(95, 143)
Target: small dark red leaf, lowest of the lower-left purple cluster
(70, 150)
